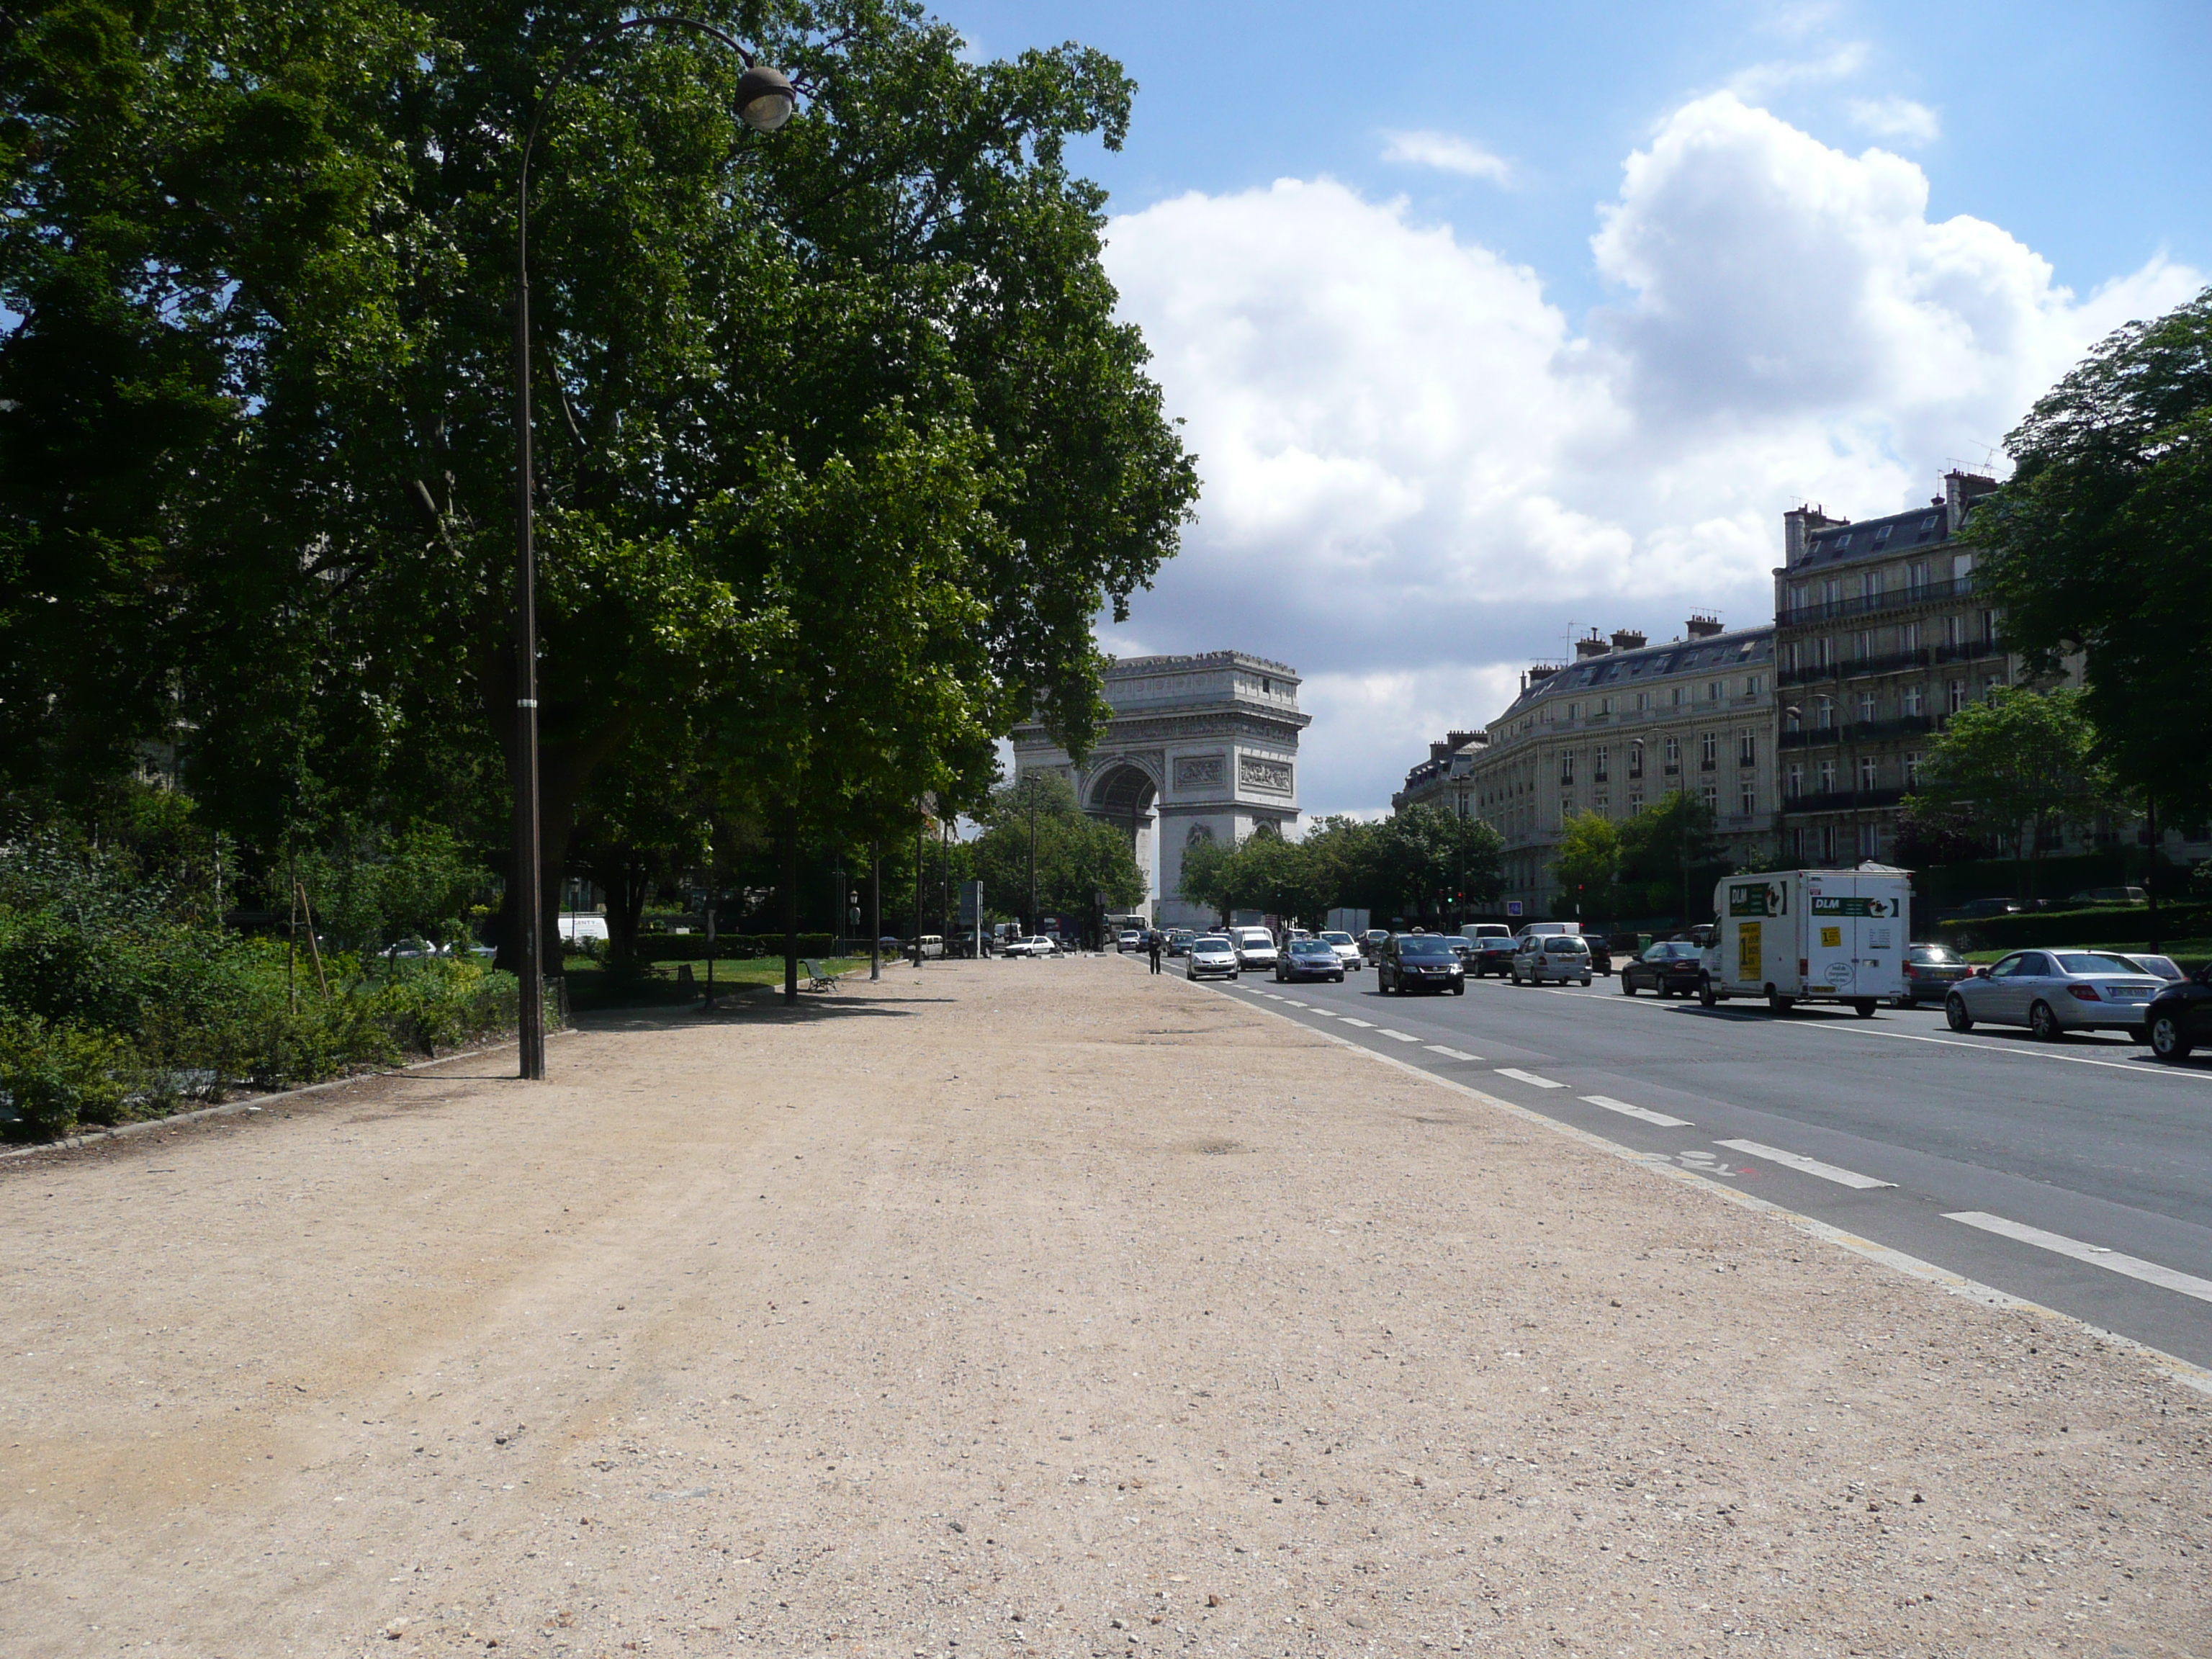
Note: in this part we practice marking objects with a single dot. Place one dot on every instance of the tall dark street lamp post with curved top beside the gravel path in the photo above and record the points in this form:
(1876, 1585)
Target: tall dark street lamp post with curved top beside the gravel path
(764, 103)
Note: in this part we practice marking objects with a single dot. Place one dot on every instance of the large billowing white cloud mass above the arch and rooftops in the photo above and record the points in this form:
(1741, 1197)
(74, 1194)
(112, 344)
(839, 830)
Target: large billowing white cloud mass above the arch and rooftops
(1419, 470)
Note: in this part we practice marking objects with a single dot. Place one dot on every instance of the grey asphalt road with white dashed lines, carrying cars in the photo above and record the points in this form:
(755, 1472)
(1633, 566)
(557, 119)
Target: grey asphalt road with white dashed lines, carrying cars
(2076, 1176)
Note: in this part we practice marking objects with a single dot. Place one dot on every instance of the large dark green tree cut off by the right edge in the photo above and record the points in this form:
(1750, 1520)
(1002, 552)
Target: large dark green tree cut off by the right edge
(2103, 545)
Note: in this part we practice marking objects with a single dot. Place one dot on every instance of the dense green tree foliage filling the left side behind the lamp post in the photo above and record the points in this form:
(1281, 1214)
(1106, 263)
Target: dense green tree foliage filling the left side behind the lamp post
(842, 444)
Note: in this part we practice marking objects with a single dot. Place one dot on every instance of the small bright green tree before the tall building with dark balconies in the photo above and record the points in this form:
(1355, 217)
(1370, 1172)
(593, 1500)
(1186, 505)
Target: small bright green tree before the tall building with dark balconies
(2021, 764)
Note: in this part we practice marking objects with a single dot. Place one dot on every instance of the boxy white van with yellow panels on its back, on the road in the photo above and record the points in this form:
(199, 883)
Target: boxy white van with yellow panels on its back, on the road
(1811, 937)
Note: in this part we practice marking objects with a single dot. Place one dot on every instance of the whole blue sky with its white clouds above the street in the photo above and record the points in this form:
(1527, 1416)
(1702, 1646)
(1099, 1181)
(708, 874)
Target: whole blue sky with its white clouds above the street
(1496, 324)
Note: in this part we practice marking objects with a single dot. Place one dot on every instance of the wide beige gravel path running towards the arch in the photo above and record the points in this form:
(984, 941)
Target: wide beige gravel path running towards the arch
(1025, 1306)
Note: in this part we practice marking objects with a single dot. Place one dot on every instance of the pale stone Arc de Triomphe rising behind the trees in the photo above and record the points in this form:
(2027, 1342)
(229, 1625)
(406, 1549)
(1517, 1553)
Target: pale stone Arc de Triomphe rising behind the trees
(1207, 744)
